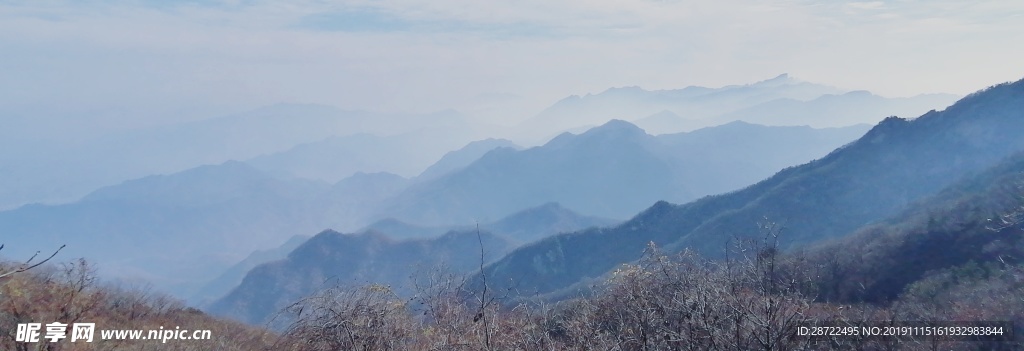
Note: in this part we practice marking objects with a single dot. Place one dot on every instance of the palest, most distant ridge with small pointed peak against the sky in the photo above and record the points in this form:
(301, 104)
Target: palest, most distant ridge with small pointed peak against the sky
(783, 101)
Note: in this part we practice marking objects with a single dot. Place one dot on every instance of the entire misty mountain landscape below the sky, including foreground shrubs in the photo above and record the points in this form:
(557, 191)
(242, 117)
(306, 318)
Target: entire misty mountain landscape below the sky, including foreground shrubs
(702, 218)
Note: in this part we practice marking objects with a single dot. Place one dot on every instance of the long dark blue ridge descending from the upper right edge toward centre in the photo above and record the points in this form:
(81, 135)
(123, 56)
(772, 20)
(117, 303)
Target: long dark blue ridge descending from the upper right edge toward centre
(897, 164)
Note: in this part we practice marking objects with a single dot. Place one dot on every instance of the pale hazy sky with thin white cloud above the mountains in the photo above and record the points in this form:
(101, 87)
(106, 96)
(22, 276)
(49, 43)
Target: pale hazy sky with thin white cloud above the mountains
(132, 57)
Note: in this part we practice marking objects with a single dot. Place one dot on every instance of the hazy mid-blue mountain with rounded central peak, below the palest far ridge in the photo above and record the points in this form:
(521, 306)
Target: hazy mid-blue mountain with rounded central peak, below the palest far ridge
(614, 171)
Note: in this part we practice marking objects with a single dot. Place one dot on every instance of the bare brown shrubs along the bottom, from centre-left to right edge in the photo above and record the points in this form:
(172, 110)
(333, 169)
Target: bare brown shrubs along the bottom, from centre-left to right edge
(754, 300)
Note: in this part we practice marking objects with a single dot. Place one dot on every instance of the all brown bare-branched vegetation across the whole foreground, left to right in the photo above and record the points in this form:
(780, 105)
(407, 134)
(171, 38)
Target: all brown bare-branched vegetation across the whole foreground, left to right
(755, 299)
